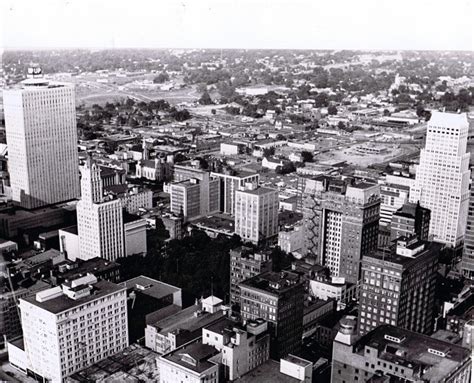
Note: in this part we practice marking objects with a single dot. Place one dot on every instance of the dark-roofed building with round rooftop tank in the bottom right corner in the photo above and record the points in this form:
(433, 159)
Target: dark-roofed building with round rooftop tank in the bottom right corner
(392, 354)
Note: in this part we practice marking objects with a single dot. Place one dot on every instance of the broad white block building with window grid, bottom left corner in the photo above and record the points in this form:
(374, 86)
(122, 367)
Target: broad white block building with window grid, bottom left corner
(69, 327)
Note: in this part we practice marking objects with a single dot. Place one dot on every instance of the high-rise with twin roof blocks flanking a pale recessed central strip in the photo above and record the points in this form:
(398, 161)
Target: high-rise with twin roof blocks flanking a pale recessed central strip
(340, 219)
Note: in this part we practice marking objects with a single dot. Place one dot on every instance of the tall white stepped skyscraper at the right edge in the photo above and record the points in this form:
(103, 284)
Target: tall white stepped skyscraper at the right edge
(442, 178)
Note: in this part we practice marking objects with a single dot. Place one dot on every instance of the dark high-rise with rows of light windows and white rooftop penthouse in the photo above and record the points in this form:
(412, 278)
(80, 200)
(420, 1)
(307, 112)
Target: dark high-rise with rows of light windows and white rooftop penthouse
(398, 286)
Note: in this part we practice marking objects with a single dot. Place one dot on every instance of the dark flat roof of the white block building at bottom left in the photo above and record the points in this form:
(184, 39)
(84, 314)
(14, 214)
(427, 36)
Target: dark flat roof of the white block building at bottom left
(63, 302)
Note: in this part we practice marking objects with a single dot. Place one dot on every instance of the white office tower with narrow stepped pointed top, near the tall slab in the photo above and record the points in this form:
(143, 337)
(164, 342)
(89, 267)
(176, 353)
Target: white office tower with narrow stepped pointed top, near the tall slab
(99, 218)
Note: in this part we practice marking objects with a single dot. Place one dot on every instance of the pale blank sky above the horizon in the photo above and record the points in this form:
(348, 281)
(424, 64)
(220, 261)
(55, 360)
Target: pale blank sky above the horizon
(312, 24)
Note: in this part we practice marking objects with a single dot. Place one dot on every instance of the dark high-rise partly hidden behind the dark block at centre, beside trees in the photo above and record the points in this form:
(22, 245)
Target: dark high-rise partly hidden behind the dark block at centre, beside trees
(245, 264)
